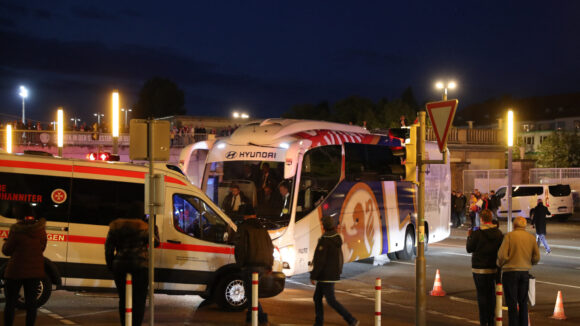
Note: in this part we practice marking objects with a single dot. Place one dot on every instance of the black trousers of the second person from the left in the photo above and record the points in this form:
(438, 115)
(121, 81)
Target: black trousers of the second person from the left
(140, 280)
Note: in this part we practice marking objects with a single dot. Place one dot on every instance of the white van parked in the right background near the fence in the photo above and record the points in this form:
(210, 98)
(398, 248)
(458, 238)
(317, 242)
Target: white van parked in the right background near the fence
(557, 198)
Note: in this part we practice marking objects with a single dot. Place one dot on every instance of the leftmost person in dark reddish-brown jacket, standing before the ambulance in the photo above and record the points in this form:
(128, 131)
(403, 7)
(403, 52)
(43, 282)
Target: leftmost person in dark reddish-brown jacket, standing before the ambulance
(25, 268)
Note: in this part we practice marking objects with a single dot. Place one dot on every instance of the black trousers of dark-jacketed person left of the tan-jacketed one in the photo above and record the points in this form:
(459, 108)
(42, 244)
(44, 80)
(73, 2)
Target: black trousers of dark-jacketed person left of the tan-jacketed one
(485, 286)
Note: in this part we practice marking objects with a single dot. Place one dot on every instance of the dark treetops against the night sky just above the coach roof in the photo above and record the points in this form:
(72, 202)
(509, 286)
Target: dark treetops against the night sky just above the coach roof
(360, 111)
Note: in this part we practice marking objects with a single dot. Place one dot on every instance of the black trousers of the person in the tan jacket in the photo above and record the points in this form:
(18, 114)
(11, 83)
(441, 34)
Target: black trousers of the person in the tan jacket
(515, 287)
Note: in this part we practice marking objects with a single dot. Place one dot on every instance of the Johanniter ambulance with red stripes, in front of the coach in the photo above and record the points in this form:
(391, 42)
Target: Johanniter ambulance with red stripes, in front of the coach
(79, 199)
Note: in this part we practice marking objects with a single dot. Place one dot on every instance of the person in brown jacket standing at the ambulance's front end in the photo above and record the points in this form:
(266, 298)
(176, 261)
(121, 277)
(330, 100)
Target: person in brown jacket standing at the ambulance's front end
(254, 254)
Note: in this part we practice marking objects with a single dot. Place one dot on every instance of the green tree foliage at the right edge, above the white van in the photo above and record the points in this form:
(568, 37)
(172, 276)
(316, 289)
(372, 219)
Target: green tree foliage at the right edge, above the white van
(560, 150)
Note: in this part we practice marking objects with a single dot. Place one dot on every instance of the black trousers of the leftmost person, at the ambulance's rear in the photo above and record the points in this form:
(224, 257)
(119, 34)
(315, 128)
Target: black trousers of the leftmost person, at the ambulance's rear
(12, 288)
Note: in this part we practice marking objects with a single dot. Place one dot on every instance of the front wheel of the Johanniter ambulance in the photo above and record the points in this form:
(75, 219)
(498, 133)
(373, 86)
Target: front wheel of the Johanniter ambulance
(230, 293)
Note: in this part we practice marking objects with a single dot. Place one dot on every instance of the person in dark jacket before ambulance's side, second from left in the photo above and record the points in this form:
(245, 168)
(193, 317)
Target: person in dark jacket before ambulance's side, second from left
(126, 252)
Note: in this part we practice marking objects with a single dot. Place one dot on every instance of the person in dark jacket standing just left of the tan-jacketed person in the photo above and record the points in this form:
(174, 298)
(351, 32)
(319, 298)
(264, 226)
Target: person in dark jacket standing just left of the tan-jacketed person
(484, 244)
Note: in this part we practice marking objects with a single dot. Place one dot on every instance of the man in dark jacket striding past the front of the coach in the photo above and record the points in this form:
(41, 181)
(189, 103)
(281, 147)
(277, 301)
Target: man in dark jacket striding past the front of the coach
(326, 270)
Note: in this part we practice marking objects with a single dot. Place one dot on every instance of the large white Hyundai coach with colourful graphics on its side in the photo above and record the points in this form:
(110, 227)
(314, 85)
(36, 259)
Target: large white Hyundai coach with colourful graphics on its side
(329, 169)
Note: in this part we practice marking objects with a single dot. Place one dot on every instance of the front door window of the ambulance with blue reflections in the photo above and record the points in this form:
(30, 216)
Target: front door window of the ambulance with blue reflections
(195, 218)
